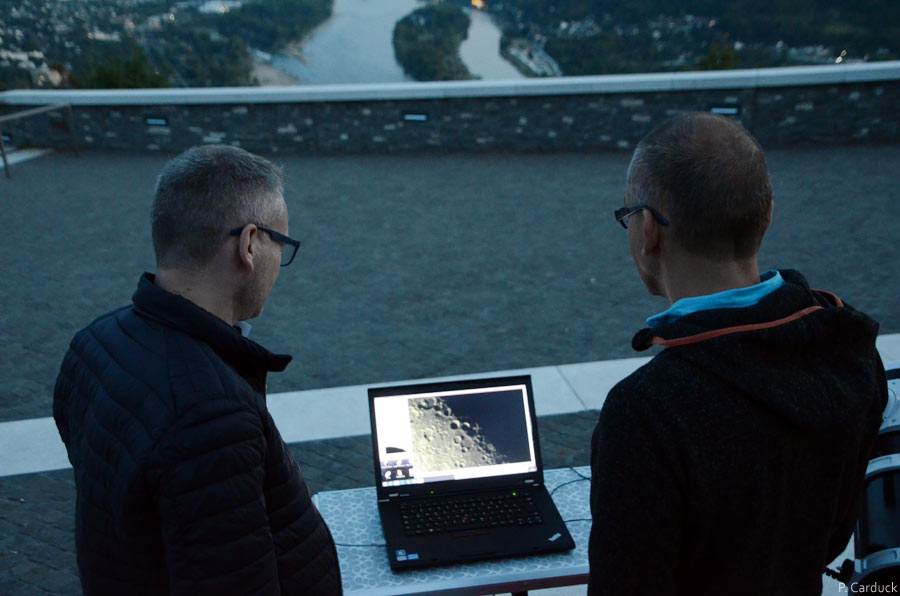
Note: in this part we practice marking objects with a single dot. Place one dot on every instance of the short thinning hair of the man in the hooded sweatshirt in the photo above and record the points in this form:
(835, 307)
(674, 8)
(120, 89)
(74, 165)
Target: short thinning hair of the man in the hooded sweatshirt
(708, 176)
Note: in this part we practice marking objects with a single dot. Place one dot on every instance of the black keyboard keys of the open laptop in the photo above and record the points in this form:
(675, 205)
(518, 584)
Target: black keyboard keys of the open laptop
(434, 516)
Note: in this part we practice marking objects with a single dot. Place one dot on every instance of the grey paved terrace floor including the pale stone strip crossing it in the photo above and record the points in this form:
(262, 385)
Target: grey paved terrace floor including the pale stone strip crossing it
(411, 267)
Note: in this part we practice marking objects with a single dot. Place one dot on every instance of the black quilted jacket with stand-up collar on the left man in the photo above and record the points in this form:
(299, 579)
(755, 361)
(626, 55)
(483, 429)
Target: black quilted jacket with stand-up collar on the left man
(184, 485)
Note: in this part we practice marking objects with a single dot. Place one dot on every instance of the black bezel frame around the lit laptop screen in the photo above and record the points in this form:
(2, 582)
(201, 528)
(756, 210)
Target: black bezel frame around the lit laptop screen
(455, 486)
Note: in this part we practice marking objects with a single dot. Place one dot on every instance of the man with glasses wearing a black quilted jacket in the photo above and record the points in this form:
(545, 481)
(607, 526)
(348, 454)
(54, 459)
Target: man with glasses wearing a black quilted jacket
(184, 485)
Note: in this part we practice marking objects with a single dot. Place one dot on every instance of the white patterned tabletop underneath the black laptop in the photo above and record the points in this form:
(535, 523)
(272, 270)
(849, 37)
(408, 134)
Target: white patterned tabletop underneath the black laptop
(352, 516)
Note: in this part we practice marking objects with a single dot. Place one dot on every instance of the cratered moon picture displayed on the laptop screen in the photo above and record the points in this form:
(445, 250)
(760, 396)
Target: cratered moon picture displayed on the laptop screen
(450, 433)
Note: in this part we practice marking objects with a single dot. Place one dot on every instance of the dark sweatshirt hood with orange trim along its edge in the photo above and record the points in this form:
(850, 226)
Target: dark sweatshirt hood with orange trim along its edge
(765, 350)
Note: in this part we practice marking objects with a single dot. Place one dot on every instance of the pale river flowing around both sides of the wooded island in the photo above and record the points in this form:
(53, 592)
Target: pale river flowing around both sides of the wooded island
(355, 46)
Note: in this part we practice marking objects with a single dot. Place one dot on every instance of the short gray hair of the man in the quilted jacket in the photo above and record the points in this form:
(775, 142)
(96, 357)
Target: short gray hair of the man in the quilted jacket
(205, 192)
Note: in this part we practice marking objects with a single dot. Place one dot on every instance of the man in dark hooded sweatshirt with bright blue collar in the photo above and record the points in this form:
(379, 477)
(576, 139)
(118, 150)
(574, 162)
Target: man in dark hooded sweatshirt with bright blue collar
(733, 462)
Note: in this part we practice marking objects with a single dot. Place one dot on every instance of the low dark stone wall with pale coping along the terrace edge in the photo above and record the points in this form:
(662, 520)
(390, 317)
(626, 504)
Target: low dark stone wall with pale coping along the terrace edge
(782, 107)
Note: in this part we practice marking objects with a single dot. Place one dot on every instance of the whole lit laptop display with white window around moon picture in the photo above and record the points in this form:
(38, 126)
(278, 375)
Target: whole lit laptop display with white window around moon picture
(453, 433)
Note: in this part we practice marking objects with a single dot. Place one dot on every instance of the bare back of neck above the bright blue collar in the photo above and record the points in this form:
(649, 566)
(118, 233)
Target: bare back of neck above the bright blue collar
(690, 277)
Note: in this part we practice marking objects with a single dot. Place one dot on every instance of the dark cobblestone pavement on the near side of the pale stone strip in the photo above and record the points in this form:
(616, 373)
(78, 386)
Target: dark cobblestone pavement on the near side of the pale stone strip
(37, 546)
